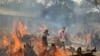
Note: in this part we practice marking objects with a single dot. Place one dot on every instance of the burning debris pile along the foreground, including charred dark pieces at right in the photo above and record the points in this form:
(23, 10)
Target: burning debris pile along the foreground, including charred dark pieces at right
(22, 43)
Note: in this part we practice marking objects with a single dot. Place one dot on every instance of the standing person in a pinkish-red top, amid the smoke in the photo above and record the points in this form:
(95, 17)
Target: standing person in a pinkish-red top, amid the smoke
(62, 35)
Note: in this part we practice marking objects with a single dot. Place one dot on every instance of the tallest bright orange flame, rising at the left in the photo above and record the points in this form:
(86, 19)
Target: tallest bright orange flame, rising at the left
(18, 45)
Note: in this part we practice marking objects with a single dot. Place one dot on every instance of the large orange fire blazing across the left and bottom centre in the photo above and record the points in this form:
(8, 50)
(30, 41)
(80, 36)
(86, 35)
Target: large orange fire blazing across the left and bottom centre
(35, 47)
